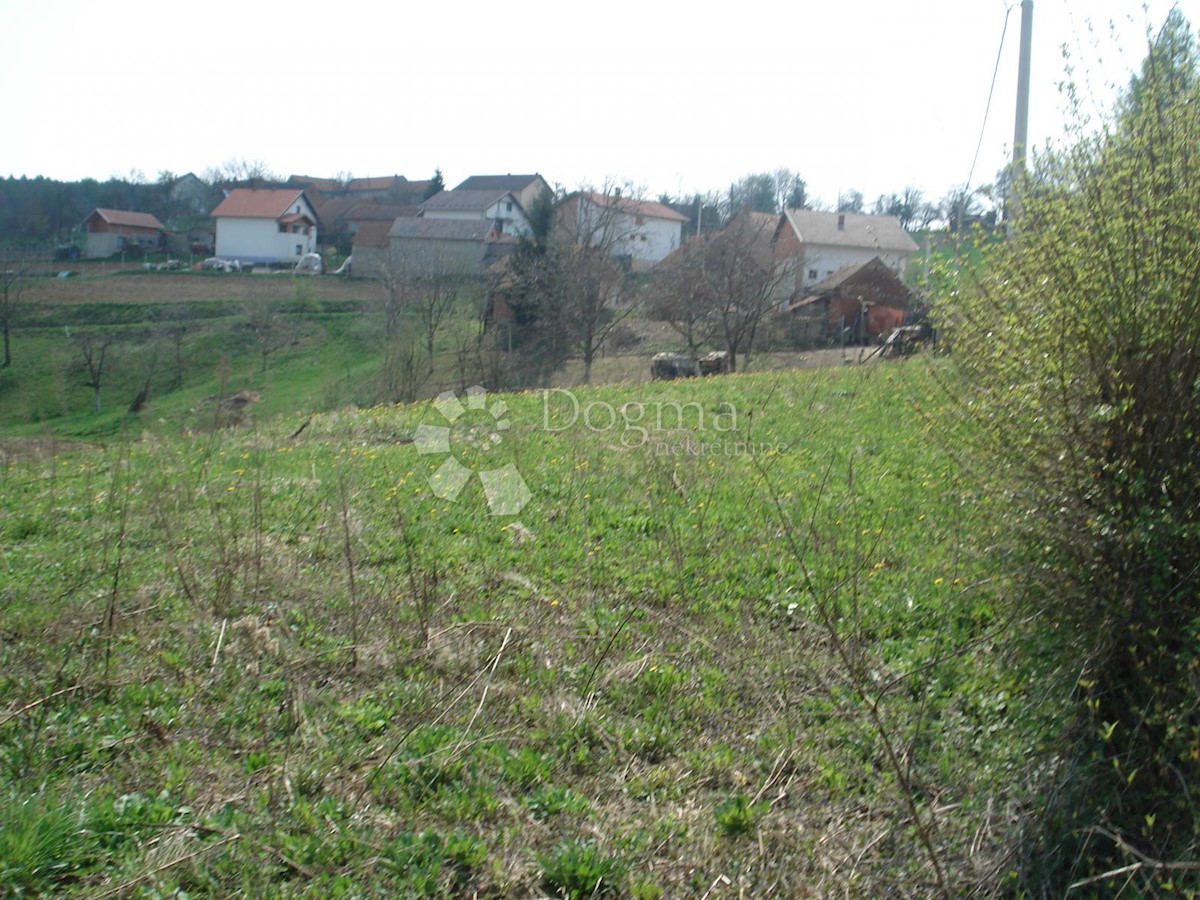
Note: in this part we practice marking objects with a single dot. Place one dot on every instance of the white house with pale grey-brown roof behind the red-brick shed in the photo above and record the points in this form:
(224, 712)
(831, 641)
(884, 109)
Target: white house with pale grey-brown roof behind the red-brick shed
(815, 245)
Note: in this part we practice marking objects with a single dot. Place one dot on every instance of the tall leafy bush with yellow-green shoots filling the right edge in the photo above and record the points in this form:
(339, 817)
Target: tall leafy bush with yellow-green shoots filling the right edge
(1077, 344)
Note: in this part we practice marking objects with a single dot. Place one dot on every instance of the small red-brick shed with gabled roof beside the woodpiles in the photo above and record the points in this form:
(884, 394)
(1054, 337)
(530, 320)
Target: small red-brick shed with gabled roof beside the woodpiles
(860, 303)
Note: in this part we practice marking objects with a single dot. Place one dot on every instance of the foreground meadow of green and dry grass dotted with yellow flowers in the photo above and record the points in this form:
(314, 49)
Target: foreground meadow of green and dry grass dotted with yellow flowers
(717, 639)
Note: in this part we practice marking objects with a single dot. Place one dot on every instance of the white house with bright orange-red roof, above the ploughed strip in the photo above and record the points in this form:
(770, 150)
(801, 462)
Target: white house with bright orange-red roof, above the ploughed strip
(266, 226)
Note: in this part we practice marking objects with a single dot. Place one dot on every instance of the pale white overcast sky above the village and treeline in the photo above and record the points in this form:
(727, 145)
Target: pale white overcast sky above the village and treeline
(676, 98)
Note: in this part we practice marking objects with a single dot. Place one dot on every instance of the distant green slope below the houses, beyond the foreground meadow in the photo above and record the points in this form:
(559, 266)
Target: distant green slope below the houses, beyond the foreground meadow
(185, 341)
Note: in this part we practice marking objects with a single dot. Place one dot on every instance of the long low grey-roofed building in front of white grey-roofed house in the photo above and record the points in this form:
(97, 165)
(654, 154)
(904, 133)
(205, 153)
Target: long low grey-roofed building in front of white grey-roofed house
(430, 247)
